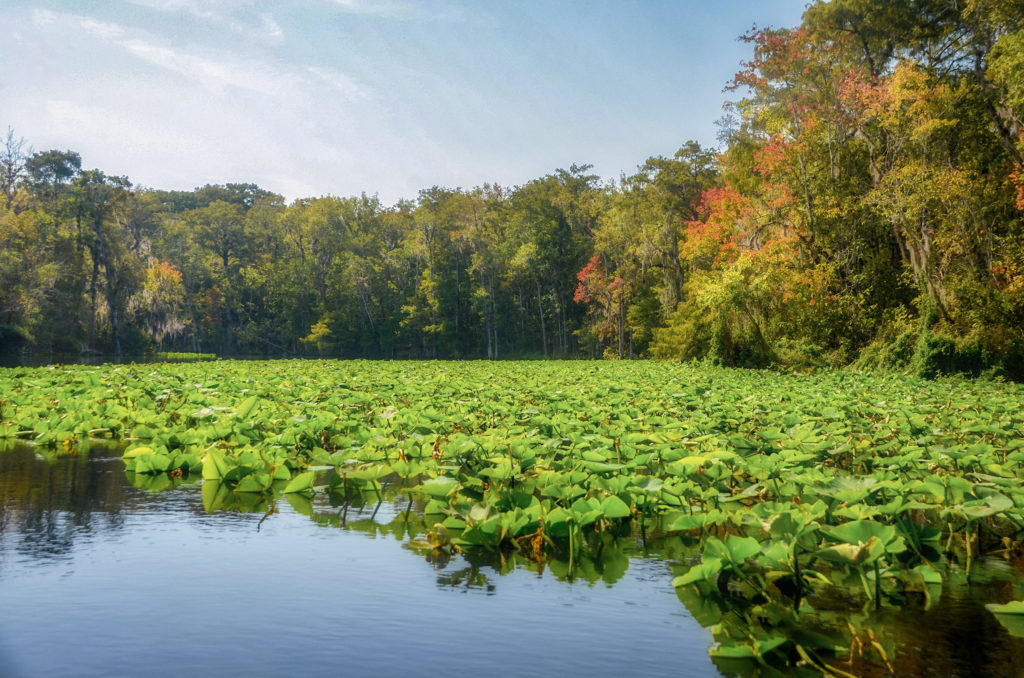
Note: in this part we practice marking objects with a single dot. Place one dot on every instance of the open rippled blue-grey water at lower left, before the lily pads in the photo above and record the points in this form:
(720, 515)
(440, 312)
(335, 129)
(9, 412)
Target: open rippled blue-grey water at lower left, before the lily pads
(101, 579)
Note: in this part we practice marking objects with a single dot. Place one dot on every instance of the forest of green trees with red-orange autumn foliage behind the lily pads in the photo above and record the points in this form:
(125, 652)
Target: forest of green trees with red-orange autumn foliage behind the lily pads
(866, 206)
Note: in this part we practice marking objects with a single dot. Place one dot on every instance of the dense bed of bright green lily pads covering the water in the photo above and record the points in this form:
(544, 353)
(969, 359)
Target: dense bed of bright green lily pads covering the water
(802, 507)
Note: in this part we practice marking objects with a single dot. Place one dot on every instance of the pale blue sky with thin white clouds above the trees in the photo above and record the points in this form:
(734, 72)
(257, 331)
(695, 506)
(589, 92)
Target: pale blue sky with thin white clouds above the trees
(314, 98)
